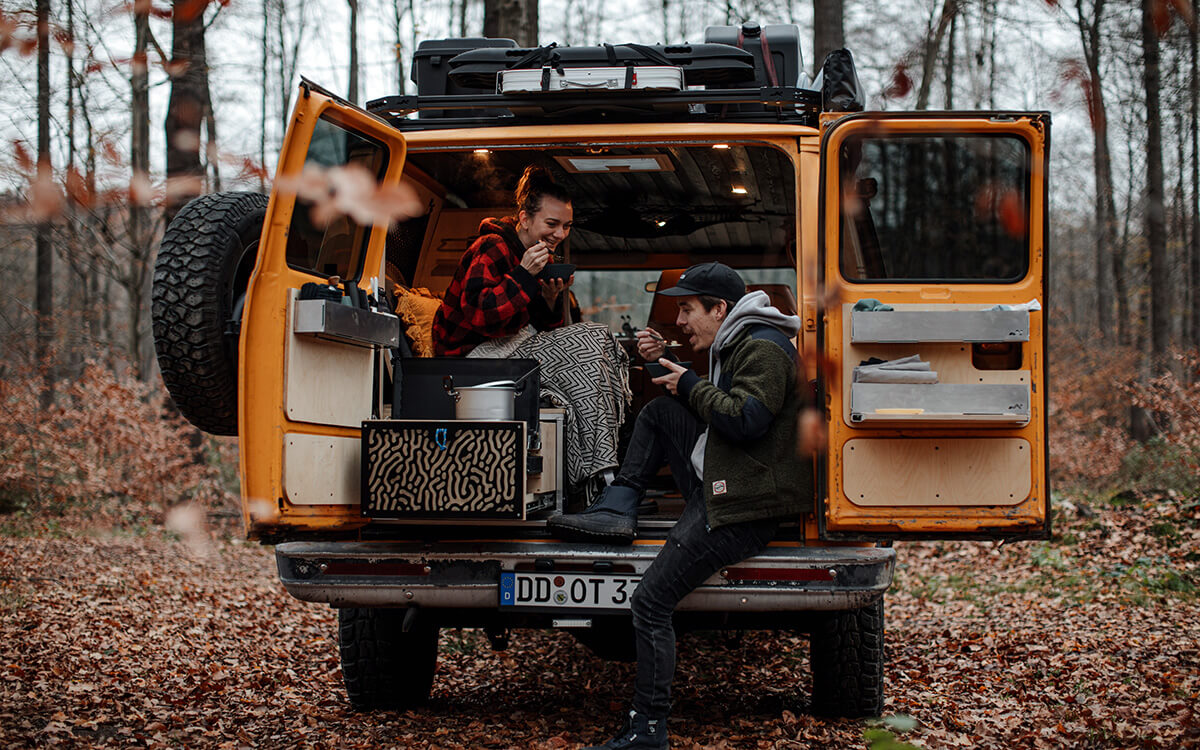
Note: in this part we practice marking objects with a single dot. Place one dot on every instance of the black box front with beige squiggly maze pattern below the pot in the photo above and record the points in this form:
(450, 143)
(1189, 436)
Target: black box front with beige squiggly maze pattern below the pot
(443, 470)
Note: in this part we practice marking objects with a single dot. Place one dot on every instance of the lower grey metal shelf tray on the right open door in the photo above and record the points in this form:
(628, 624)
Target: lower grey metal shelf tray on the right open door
(986, 404)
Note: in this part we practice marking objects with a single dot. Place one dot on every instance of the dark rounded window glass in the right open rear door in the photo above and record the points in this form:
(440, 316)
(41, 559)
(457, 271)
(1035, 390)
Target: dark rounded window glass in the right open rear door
(921, 209)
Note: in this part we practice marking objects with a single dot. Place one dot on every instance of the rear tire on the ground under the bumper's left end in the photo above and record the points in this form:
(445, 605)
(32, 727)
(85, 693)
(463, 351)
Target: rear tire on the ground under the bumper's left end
(382, 665)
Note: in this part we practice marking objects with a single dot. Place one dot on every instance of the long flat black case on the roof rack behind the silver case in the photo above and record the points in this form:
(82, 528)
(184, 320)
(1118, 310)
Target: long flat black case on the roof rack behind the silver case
(701, 64)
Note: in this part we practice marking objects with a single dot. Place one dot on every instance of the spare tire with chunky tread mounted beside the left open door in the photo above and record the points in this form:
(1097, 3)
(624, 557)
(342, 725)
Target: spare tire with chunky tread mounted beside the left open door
(205, 263)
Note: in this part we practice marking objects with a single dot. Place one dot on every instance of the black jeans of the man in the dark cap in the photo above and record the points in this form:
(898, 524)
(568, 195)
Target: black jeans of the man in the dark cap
(668, 431)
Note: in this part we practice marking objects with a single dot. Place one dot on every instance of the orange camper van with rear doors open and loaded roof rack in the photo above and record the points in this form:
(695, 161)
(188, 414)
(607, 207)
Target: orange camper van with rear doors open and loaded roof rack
(910, 244)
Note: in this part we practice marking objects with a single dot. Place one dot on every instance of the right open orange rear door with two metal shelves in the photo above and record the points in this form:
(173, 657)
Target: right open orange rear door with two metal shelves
(933, 231)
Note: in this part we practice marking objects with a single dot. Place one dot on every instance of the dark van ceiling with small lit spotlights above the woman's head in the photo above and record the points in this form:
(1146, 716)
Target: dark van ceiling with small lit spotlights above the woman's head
(691, 208)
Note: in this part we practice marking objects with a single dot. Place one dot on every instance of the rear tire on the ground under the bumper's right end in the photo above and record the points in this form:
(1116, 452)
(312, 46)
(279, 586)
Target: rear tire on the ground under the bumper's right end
(847, 655)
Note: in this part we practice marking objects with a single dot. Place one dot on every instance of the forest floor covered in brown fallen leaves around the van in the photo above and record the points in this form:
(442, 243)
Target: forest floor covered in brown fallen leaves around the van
(140, 638)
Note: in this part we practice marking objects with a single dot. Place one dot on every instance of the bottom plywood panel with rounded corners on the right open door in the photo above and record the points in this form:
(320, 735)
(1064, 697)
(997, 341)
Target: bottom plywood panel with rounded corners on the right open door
(880, 472)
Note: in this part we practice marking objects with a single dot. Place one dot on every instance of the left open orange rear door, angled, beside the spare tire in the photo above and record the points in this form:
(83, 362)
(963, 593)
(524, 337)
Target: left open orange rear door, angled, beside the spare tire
(310, 374)
